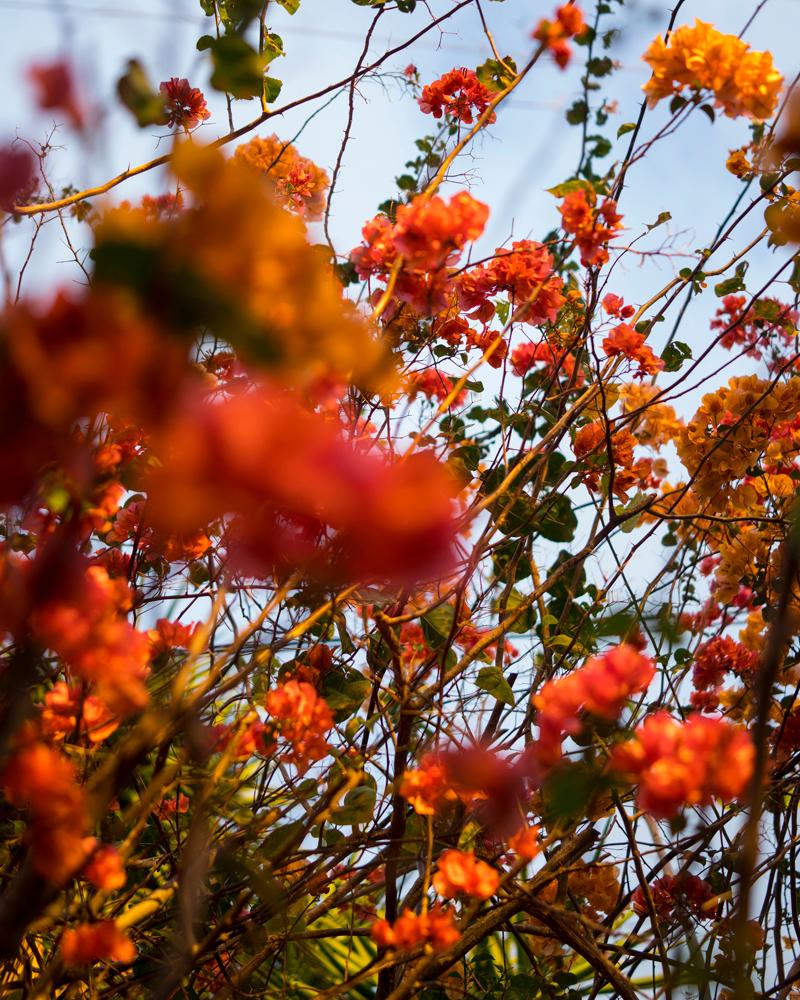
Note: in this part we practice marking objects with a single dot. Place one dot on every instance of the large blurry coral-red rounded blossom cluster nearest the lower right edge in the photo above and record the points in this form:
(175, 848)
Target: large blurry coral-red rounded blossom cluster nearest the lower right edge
(689, 763)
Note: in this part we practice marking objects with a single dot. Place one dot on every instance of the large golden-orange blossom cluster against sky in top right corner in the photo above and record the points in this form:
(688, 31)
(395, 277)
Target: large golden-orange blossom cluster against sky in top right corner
(701, 58)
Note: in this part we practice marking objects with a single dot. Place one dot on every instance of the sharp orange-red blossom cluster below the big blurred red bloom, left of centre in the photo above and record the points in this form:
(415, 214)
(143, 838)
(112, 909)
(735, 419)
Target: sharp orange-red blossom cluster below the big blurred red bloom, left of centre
(303, 719)
